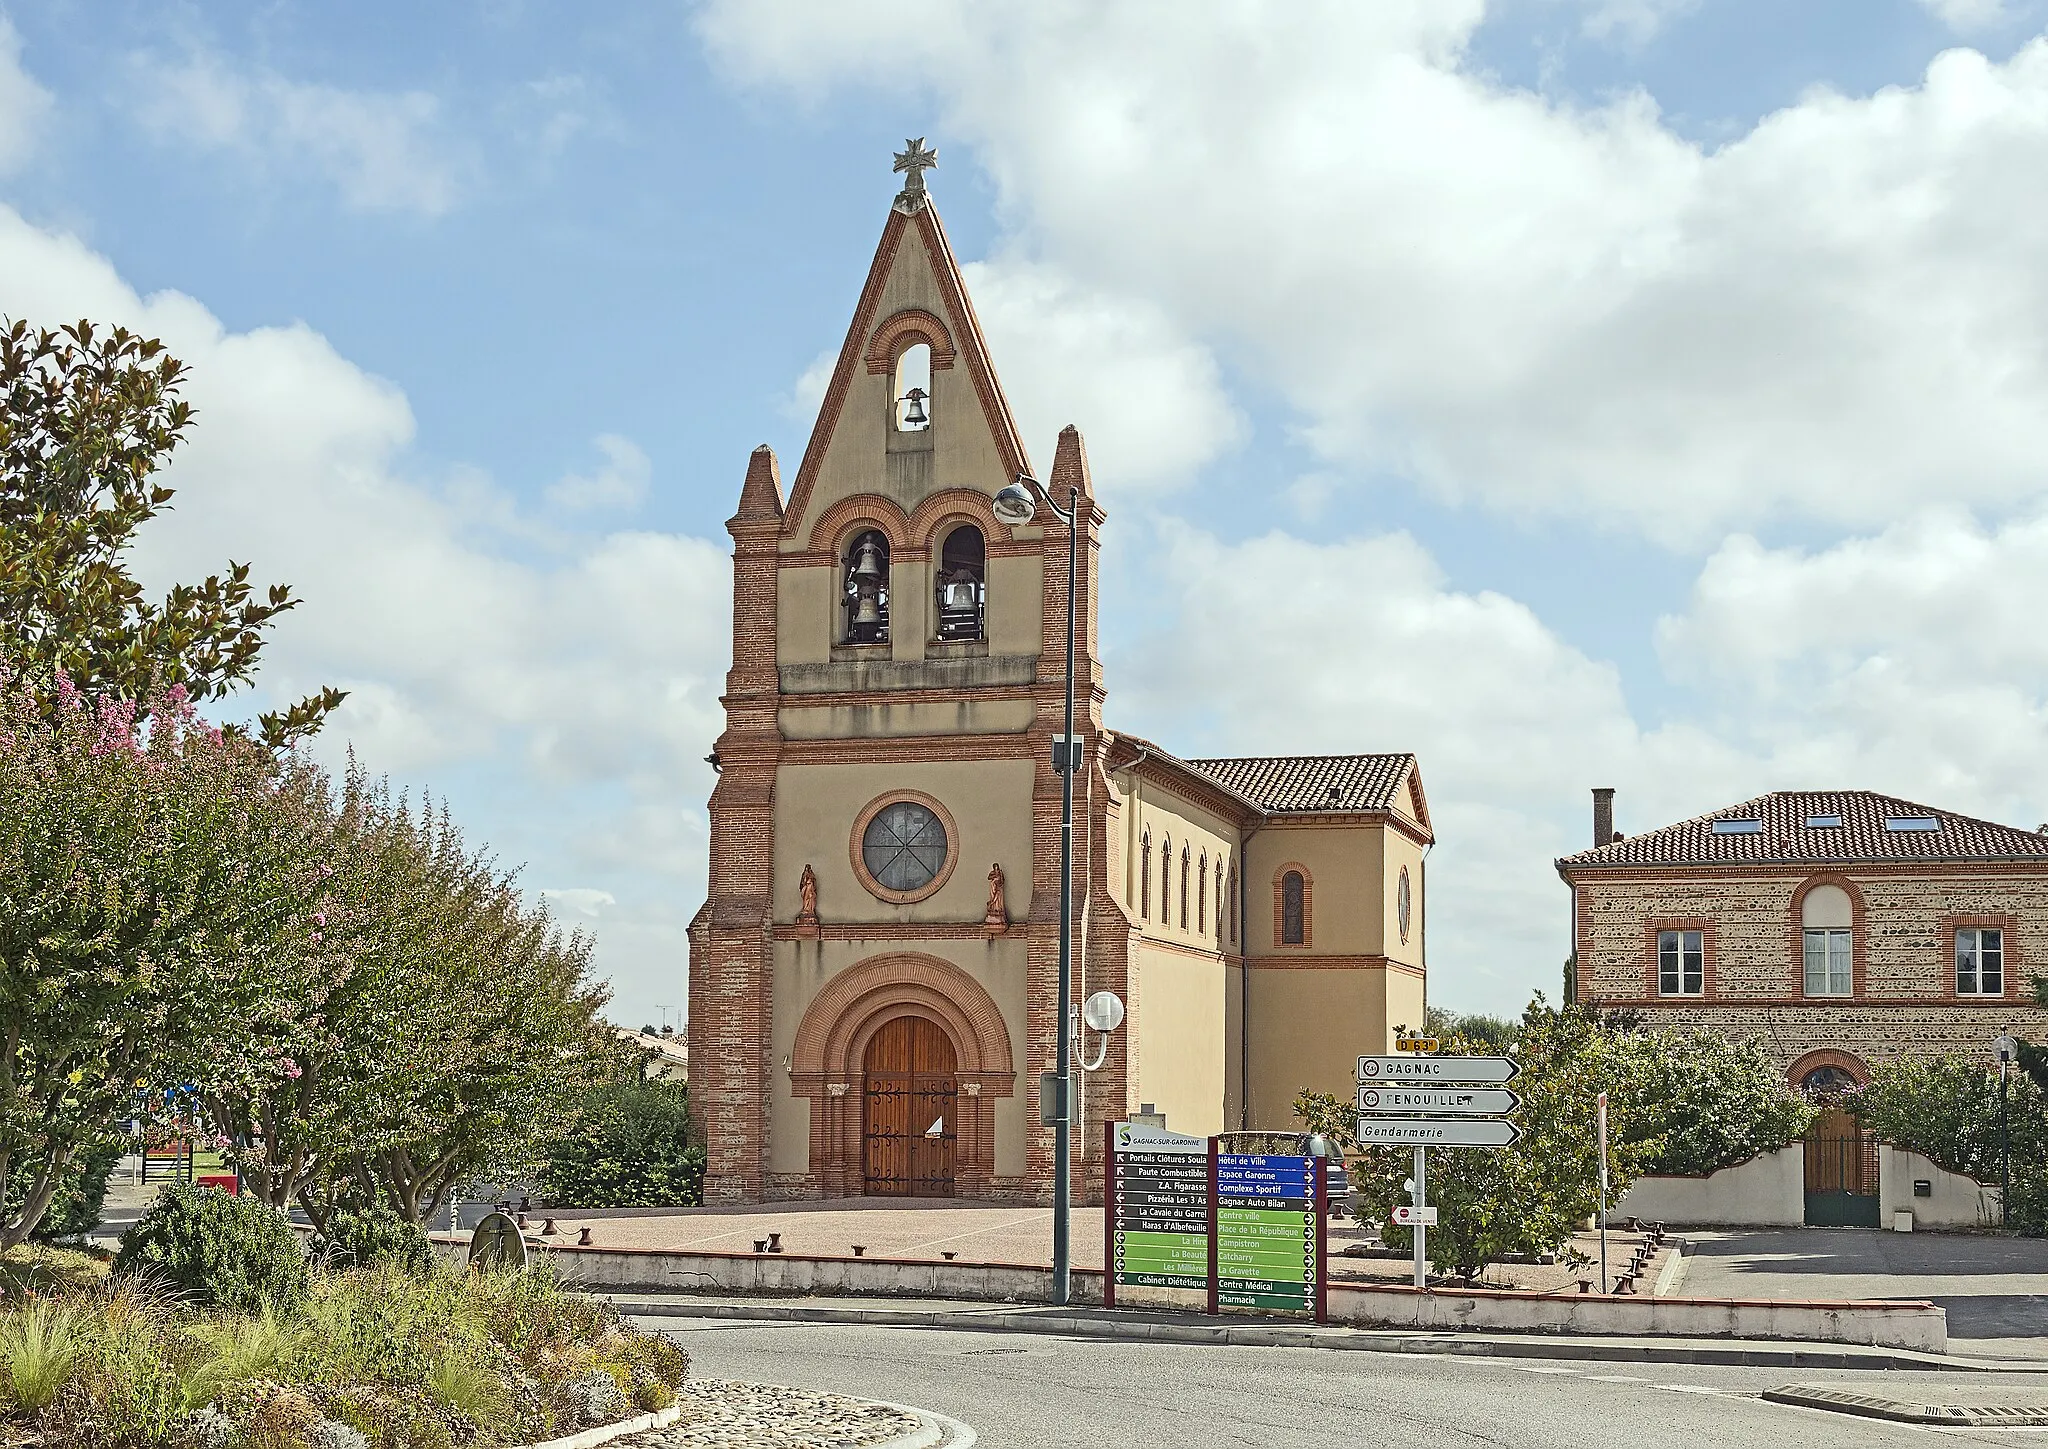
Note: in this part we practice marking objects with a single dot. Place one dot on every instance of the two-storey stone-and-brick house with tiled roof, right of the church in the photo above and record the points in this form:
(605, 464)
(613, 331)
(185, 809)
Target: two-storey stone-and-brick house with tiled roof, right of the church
(1842, 928)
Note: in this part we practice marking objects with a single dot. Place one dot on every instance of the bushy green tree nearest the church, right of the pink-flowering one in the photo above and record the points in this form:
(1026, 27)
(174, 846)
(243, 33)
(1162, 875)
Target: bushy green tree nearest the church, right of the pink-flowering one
(450, 1037)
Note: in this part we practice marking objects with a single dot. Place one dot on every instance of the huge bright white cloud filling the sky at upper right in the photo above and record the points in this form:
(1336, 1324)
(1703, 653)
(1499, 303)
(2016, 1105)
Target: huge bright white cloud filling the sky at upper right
(1508, 298)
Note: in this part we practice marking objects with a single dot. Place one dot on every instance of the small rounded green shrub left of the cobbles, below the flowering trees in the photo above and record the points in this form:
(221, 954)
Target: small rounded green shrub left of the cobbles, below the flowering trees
(218, 1249)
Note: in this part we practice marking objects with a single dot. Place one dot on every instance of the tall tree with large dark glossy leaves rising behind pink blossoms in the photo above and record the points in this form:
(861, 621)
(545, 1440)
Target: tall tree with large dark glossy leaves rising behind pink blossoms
(87, 421)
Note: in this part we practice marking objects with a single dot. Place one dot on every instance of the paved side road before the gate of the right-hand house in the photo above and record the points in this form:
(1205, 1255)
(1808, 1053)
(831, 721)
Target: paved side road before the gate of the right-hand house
(1996, 1290)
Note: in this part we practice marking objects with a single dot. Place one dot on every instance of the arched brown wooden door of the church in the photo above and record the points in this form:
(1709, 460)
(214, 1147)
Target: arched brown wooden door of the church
(908, 1110)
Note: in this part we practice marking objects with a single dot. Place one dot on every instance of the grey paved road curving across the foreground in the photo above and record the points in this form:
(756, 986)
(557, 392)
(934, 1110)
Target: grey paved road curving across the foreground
(1029, 1393)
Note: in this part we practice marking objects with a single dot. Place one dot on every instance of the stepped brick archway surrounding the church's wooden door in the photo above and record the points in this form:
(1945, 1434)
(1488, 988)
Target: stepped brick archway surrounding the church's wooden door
(833, 1041)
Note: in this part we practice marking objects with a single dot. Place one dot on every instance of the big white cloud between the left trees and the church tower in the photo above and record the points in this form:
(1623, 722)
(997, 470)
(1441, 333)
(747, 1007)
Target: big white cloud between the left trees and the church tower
(560, 695)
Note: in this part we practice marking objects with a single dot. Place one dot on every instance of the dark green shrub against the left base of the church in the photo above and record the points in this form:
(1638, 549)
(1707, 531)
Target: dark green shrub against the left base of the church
(630, 1149)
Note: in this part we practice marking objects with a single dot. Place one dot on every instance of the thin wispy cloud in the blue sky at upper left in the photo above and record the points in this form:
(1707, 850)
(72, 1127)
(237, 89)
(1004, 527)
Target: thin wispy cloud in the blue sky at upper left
(382, 150)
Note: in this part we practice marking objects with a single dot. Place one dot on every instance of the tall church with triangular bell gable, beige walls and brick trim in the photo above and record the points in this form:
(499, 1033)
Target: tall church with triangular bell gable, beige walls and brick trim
(873, 975)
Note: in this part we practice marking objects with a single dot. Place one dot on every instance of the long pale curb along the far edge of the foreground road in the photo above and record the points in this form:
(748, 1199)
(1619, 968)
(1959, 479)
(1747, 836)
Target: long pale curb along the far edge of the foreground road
(1736, 1352)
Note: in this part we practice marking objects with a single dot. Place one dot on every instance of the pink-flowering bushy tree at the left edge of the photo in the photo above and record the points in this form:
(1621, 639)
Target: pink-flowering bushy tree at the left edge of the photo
(155, 895)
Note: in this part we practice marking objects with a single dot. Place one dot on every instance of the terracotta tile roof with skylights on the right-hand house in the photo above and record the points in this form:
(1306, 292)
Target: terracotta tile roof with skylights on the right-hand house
(1785, 836)
